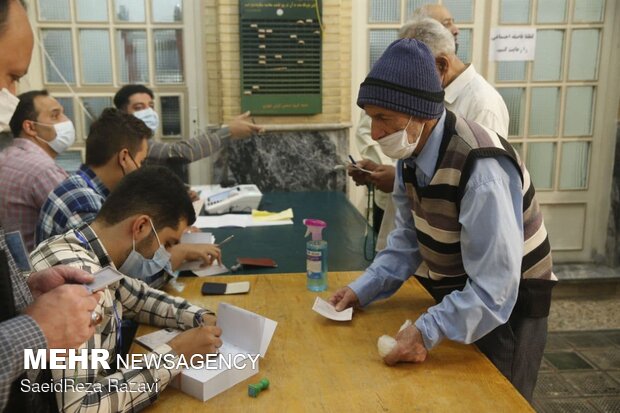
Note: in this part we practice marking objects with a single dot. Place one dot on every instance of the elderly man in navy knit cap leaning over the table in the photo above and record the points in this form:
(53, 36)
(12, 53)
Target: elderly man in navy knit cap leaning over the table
(468, 225)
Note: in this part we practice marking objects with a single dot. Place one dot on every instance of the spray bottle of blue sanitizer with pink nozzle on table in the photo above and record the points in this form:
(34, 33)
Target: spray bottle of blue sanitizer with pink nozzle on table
(316, 255)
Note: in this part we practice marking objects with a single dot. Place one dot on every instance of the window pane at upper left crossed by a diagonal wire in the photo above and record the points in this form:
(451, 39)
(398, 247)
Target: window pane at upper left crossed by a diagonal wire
(58, 45)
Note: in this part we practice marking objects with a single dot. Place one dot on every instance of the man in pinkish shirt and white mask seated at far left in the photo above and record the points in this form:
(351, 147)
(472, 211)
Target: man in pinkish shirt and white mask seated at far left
(27, 168)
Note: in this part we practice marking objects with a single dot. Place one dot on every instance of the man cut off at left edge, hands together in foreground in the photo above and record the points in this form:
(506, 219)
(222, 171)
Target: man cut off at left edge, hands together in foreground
(29, 313)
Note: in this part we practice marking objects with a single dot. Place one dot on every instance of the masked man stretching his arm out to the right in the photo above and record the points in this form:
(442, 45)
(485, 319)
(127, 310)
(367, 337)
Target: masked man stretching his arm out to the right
(138, 100)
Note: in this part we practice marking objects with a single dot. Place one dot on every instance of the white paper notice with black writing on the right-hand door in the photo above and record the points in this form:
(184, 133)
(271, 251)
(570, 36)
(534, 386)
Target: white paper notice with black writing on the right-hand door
(509, 44)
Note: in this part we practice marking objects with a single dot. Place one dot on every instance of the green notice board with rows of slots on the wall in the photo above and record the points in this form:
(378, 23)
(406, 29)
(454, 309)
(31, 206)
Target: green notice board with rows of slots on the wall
(280, 43)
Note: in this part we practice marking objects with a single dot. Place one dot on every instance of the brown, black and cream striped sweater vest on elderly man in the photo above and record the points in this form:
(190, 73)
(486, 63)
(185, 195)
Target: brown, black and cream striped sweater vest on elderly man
(435, 211)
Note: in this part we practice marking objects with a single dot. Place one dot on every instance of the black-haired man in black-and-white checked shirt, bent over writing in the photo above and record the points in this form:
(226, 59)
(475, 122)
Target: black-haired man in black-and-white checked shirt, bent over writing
(147, 212)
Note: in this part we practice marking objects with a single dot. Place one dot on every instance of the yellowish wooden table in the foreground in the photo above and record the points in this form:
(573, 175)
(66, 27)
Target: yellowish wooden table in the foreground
(318, 365)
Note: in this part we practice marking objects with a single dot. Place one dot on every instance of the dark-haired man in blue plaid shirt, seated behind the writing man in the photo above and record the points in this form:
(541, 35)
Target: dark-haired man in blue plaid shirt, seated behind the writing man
(116, 146)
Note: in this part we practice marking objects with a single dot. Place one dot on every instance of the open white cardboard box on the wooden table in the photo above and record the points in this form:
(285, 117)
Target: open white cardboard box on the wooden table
(244, 334)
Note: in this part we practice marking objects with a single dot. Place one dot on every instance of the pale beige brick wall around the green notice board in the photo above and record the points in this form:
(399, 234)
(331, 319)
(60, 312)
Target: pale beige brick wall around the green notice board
(221, 40)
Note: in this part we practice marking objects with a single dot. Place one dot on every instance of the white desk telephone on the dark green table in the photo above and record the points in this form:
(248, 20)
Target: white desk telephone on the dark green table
(240, 198)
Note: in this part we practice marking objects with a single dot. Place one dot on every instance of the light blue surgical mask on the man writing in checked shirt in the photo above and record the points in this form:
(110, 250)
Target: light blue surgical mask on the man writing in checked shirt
(145, 269)
